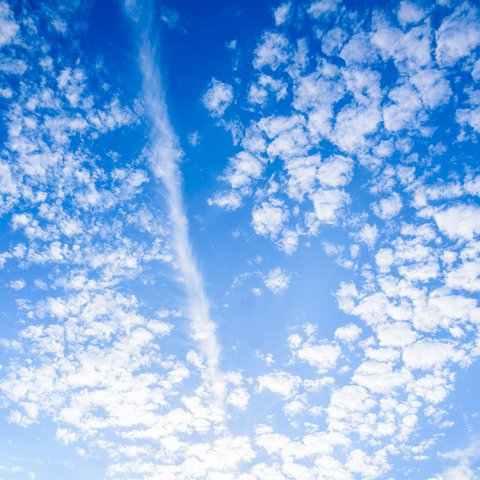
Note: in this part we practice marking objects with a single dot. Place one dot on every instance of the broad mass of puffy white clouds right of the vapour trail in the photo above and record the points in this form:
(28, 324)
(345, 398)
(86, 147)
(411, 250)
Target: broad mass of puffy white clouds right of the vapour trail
(355, 147)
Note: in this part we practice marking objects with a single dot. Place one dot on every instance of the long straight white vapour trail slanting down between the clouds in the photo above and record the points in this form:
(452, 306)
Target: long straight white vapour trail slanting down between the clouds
(165, 157)
